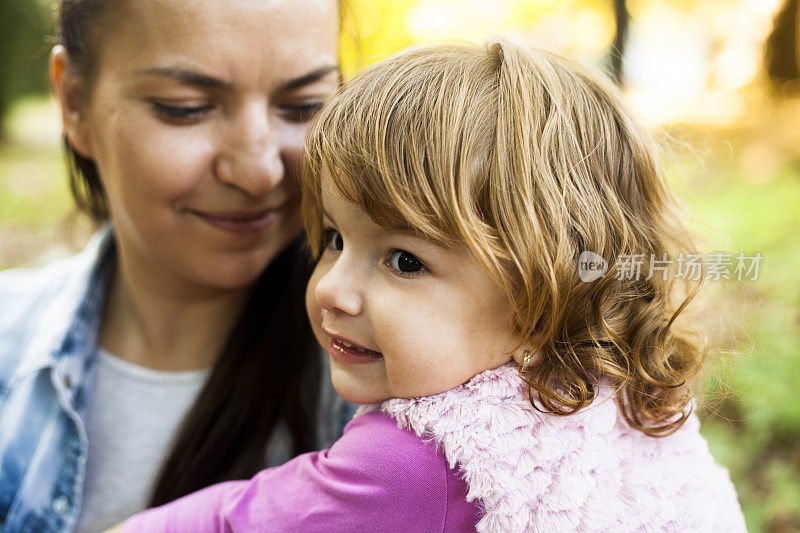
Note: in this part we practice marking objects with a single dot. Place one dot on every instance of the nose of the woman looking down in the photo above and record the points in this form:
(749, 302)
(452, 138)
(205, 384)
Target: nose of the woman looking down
(250, 159)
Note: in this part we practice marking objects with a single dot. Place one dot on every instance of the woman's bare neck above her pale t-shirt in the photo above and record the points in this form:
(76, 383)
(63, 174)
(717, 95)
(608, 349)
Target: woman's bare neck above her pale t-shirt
(157, 321)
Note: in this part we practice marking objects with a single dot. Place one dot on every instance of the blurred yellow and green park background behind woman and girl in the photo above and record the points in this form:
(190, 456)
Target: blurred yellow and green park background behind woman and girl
(721, 78)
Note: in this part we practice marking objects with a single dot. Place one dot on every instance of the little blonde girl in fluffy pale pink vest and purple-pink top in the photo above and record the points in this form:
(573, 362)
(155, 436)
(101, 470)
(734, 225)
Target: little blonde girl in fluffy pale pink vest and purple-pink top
(451, 192)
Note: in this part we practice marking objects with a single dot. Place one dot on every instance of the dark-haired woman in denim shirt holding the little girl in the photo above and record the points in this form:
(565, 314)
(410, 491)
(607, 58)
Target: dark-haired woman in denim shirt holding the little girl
(174, 351)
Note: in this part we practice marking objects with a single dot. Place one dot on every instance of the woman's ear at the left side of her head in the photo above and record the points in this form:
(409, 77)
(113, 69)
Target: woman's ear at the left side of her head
(68, 88)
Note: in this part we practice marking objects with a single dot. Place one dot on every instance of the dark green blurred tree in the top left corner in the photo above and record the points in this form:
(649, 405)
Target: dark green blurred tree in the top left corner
(23, 51)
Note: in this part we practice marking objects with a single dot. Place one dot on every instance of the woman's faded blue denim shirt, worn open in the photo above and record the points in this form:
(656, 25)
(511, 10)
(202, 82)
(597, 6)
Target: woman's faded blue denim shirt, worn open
(49, 319)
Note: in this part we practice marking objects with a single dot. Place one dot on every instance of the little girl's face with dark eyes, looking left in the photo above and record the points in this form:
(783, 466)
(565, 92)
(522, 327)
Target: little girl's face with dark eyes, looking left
(429, 318)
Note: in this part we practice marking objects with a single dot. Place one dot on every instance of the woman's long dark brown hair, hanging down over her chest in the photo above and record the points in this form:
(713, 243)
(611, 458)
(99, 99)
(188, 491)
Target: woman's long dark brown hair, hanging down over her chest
(268, 372)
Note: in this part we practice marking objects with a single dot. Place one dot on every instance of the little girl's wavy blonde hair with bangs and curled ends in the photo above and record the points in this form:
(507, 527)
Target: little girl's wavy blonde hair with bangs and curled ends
(527, 159)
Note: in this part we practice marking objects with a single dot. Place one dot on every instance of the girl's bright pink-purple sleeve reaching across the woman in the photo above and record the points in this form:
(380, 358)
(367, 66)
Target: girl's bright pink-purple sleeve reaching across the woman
(376, 476)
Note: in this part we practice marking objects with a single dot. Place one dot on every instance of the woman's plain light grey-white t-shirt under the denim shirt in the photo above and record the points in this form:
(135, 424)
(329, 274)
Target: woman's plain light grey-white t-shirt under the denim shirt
(132, 418)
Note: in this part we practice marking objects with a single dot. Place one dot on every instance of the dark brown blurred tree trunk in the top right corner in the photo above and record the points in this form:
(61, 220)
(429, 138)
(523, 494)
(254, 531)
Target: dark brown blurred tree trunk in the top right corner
(781, 52)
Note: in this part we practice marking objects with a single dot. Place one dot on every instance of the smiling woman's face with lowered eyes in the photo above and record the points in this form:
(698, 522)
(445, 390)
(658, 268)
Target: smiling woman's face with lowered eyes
(195, 118)
